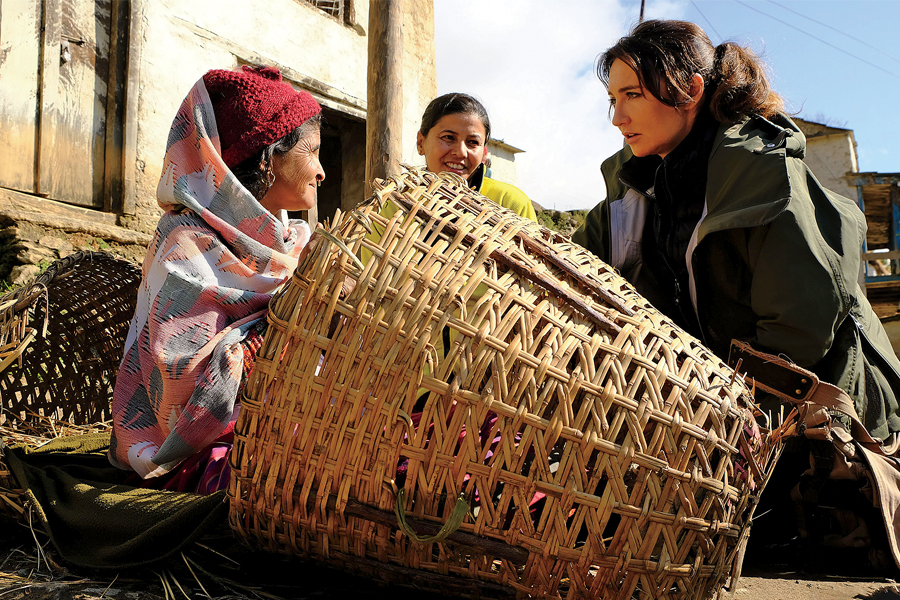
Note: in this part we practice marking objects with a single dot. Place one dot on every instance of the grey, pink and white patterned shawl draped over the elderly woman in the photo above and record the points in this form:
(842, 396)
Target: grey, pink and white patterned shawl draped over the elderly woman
(215, 261)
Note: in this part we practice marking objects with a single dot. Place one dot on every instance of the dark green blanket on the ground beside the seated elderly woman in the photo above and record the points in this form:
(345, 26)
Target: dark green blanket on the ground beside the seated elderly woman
(93, 518)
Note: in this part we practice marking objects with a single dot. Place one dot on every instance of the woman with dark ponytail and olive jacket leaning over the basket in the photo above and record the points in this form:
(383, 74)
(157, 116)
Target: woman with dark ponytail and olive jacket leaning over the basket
(713, 216)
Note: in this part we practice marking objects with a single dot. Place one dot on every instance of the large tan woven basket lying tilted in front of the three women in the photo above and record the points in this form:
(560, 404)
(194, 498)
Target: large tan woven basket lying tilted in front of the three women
(491, 411)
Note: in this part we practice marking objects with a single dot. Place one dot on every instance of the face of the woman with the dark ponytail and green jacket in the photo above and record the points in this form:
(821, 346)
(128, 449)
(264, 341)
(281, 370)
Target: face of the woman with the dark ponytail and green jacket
(649, 126)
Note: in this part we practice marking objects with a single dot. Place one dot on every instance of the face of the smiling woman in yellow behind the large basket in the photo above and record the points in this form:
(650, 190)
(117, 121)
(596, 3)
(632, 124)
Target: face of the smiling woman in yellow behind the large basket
(455, 144)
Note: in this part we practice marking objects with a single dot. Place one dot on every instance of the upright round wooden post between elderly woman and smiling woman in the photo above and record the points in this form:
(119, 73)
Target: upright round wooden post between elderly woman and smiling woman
(384, 95)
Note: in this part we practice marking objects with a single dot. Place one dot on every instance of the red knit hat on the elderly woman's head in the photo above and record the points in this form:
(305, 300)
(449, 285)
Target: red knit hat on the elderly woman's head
(255, 108)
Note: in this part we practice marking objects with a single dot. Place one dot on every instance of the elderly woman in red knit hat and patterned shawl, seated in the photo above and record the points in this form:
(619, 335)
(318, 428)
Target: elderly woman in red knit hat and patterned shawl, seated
(243, 149)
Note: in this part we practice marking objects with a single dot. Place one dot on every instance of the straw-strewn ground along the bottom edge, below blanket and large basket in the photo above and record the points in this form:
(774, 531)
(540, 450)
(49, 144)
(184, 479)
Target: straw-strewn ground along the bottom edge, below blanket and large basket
(220, 569)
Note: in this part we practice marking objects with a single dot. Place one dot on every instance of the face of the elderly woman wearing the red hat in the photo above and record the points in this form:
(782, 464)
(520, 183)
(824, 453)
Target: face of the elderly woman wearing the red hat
(297, 175)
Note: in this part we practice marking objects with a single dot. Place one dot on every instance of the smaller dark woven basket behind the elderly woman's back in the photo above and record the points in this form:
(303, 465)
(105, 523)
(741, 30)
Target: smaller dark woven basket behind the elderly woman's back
(62, 339)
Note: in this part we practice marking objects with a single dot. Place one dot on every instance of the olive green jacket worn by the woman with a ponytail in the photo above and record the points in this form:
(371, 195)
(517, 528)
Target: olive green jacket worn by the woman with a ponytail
(774, 260)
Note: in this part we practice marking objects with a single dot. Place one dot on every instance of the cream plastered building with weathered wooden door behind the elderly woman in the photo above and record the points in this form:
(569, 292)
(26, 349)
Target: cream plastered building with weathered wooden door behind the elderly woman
(90, 88)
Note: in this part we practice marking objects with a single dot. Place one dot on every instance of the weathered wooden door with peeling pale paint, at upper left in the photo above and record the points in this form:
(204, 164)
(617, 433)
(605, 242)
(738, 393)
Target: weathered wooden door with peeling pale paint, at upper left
(56, 113)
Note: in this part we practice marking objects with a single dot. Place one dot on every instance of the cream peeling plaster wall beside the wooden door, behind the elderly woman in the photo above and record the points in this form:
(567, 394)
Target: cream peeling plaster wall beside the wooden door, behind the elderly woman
(171, 44)
